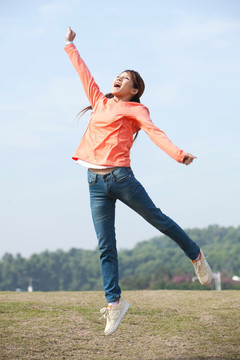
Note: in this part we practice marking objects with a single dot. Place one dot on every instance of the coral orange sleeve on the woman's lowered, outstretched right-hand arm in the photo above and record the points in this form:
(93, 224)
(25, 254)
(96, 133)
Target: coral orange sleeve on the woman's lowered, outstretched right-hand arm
(158, 136)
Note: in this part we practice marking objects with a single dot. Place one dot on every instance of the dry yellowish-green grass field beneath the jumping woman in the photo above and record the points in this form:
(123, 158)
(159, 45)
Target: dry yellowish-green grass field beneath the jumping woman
(159, 325)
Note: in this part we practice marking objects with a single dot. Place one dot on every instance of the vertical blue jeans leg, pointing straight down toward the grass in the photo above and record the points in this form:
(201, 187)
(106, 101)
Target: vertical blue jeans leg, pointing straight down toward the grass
(103, 214)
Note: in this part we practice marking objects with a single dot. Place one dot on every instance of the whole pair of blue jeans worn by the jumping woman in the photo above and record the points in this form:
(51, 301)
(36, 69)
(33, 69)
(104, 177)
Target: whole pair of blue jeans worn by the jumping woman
(104, 191)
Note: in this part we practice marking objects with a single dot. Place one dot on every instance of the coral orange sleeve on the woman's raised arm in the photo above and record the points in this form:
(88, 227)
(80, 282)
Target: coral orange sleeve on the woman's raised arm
(89, 85)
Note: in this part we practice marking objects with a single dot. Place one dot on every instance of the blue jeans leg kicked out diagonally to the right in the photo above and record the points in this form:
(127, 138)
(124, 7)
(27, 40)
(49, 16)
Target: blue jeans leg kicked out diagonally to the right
(132, 193)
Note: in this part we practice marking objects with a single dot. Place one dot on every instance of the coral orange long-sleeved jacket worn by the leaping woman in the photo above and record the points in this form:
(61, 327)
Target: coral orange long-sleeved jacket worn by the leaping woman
(109, 135)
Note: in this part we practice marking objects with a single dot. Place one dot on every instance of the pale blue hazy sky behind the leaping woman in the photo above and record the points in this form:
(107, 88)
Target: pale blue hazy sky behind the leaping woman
(188, 53)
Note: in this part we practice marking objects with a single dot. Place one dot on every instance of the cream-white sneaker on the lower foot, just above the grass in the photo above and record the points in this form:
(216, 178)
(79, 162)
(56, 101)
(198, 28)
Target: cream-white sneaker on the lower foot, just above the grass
(114, 315)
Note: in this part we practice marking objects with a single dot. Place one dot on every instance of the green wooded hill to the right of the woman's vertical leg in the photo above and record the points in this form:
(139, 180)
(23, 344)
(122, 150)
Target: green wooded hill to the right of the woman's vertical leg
(158, 263)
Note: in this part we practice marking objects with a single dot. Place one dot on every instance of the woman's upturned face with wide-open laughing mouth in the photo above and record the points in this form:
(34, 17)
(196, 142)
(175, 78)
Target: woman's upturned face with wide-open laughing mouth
(123, 88)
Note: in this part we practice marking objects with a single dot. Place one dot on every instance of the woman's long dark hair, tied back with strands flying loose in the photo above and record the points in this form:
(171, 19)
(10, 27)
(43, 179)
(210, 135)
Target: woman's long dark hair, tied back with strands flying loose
(138, 83)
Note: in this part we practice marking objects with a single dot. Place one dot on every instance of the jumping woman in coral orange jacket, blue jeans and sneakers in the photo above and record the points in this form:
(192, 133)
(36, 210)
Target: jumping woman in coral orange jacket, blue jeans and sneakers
(104, 150)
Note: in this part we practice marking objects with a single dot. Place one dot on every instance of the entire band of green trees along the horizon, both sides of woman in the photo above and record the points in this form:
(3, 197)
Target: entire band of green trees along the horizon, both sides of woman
(154, 264)
